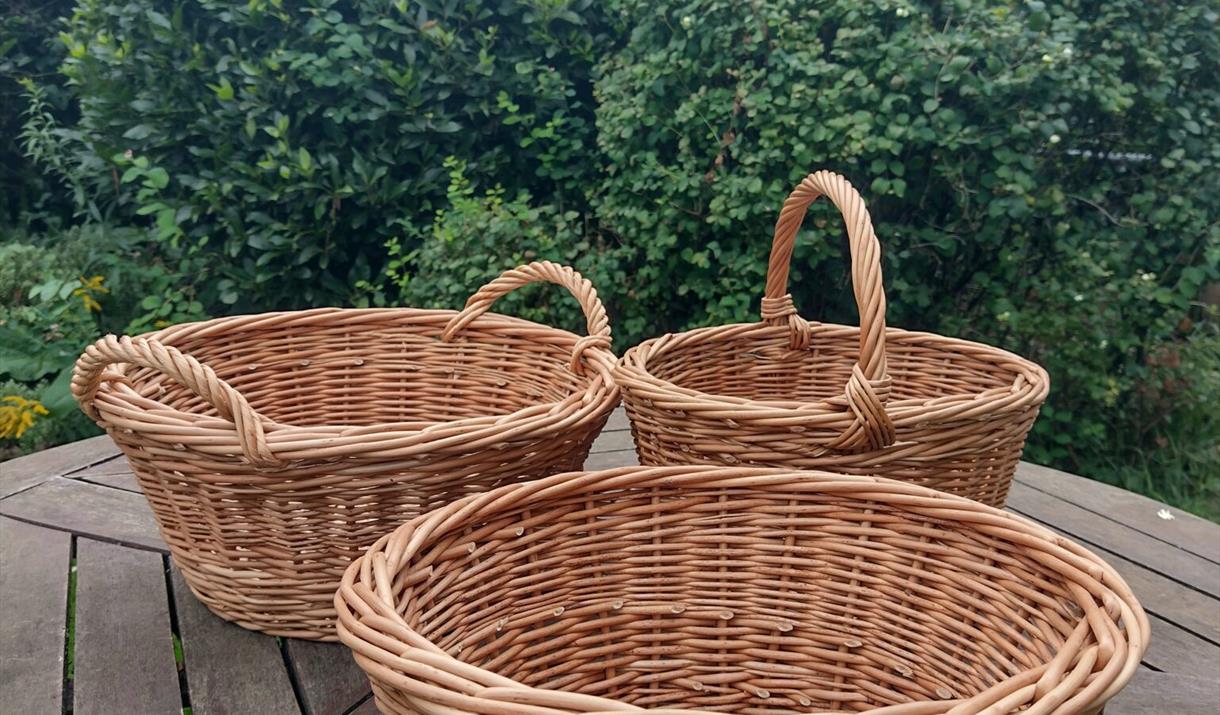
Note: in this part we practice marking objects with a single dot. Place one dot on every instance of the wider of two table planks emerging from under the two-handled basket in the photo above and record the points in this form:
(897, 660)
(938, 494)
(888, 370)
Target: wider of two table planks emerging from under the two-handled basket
(230, 670)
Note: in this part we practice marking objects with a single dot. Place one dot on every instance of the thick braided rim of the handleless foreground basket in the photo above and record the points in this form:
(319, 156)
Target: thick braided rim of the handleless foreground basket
(1103, 581)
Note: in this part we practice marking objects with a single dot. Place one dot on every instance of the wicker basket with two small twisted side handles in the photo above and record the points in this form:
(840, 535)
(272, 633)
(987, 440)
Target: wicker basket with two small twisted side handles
(276, 448)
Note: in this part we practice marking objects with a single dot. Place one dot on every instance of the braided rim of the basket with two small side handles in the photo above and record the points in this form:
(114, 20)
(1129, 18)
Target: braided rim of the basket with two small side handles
(379, 441)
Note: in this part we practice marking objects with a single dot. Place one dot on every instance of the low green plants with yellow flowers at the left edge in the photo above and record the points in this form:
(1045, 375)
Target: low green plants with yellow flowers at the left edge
(59, 296)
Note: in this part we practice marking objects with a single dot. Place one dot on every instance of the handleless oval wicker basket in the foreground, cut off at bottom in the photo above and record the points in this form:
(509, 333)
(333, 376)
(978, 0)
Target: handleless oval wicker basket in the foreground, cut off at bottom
(735, 590)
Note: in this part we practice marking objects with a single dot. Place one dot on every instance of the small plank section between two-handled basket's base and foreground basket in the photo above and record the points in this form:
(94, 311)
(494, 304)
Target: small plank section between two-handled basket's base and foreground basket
(329, 679)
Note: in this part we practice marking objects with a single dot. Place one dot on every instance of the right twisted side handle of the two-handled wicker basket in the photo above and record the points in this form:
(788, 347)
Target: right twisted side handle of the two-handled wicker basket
(579, 286)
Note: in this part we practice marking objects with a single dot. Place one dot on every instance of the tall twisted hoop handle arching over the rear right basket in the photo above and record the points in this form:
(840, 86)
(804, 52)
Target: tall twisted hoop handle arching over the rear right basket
(868, 390)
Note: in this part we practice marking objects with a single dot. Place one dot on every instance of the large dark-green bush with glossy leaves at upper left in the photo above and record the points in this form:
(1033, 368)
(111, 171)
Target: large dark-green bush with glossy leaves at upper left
(292, 141)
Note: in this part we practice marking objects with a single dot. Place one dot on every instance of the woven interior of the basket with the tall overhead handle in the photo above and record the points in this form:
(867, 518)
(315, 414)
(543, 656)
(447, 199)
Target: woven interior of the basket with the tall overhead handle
(759, 365)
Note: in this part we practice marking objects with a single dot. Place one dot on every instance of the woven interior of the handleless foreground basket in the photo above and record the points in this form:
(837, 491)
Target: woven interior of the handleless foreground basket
(739, 601)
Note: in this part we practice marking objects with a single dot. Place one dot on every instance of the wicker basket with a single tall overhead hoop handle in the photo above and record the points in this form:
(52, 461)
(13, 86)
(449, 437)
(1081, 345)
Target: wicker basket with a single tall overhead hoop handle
(939, 412)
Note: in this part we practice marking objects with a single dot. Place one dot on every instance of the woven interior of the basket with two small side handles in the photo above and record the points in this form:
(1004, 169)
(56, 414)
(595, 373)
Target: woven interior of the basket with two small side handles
(348, 374)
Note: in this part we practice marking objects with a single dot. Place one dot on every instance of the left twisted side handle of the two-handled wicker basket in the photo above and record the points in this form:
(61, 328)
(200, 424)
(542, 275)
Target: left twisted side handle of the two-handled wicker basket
(148, 352)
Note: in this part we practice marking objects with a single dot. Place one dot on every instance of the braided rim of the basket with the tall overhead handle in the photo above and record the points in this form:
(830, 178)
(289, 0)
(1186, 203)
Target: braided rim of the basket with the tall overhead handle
(1029, 378)
